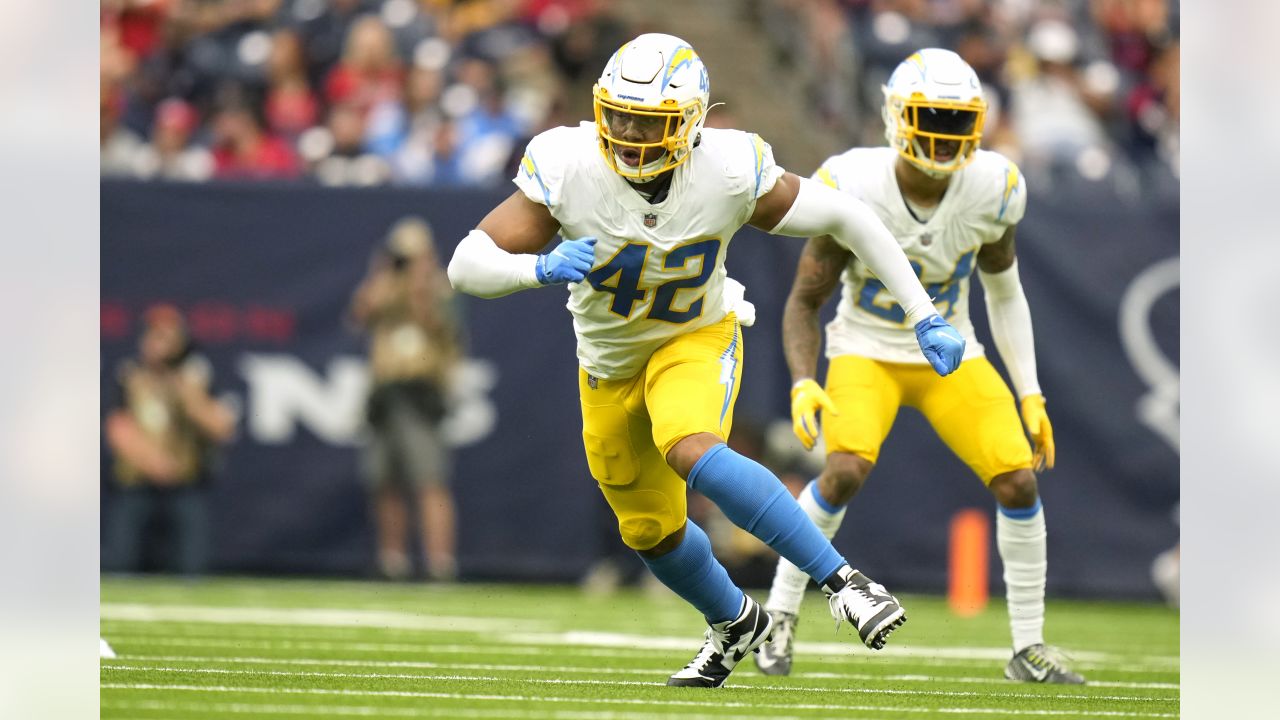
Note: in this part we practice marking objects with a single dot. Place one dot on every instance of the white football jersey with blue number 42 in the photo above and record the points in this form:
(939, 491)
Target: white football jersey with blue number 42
(660, 270)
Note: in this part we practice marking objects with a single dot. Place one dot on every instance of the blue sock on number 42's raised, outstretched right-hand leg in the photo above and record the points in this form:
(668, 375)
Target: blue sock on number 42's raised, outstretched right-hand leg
(758, 503)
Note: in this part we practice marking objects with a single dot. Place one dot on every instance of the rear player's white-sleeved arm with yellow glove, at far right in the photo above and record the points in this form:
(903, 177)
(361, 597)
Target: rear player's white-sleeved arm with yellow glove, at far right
(1012, 329)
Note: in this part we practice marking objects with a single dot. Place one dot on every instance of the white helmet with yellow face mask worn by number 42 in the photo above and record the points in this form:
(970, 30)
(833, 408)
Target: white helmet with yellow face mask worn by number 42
(653, 84)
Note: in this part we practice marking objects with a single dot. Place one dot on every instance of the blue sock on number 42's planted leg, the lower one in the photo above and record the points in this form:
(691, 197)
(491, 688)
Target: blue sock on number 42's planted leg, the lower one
(693, 573)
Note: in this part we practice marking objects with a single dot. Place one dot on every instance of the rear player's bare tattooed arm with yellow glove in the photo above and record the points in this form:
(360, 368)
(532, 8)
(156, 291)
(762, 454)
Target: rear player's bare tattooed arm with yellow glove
(817, 275)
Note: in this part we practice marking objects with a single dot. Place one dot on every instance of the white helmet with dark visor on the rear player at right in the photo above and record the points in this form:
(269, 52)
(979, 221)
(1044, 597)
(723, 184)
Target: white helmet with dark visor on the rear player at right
(934, 111)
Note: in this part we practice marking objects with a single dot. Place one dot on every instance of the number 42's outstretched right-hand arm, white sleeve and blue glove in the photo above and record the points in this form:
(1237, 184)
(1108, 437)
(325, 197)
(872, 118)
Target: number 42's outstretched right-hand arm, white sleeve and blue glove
(806, 208)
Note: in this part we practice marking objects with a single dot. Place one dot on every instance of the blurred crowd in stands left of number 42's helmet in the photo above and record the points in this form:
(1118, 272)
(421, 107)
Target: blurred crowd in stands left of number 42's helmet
(342, 92)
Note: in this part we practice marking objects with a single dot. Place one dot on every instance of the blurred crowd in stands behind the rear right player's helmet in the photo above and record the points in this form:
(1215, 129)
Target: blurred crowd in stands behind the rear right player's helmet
(1084, 86)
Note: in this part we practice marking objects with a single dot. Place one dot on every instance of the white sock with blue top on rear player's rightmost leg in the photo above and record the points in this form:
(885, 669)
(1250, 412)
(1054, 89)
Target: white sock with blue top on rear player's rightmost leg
(1022, 545)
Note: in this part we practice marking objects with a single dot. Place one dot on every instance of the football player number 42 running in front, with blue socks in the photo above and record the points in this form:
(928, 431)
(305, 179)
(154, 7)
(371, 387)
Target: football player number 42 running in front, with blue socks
(647, 200)
